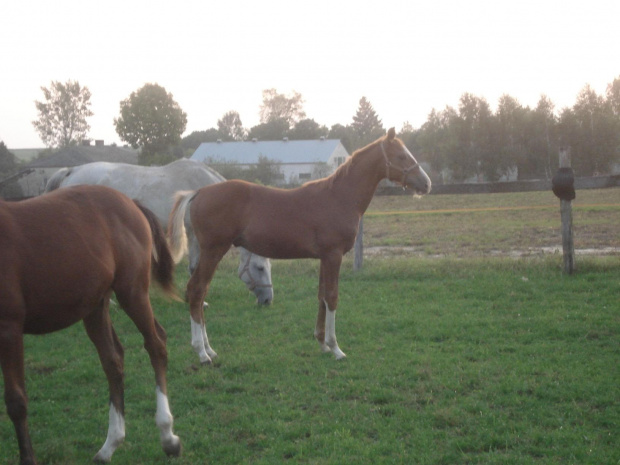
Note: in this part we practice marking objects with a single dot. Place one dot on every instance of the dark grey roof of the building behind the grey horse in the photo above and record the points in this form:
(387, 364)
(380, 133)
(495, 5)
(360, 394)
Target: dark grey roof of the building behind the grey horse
(81, 154)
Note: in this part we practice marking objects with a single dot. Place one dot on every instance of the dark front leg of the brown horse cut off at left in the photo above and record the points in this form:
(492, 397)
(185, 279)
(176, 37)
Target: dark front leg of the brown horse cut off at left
(12, 361)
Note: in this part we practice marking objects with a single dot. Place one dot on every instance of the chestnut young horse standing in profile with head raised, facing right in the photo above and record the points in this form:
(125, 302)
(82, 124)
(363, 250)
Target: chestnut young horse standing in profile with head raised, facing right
(317, 220)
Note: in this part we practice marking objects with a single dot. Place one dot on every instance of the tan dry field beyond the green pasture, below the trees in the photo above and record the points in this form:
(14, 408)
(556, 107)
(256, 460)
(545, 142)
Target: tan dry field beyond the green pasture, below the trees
(474, 225)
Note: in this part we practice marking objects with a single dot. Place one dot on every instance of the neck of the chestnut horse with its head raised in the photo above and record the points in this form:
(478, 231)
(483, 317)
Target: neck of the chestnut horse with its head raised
(358, 181)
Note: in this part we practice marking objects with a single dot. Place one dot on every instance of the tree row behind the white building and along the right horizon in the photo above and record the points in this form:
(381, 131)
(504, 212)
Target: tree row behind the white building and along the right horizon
(462, 143)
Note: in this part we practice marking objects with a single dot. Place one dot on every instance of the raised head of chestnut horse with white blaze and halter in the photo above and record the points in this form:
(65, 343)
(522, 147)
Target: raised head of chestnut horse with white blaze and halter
(401, 166)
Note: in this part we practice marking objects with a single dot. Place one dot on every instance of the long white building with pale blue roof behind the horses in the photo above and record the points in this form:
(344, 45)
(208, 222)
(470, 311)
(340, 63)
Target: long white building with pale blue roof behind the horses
(298, 160)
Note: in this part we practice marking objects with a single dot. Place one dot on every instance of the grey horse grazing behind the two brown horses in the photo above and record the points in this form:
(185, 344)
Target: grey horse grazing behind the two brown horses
(154, 187)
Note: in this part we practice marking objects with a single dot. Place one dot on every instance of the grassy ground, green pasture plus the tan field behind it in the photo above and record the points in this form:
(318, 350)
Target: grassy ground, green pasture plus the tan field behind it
(468, 358)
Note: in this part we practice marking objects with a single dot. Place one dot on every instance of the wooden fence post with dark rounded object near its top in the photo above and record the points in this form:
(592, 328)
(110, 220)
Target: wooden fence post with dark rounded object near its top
(563, 188)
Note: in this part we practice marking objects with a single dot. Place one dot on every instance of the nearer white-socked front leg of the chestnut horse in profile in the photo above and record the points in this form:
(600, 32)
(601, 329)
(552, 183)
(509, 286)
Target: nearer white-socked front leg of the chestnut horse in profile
(330, 270)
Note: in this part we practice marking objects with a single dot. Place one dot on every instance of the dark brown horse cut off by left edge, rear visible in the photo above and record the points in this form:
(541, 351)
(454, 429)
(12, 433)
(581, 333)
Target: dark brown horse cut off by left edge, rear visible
(62, 255)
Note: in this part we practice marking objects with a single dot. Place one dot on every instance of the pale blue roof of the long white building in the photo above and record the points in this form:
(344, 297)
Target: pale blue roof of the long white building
(284, 151)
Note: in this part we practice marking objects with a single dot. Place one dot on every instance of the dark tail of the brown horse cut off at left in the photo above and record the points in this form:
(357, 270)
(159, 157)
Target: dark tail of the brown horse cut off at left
(162, 265)
